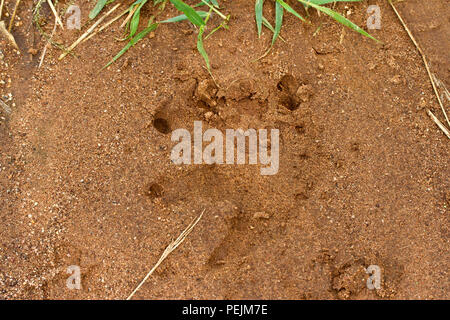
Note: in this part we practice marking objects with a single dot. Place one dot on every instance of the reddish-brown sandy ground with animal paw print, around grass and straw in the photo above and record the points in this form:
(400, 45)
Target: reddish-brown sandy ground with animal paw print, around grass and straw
(86, 177)
